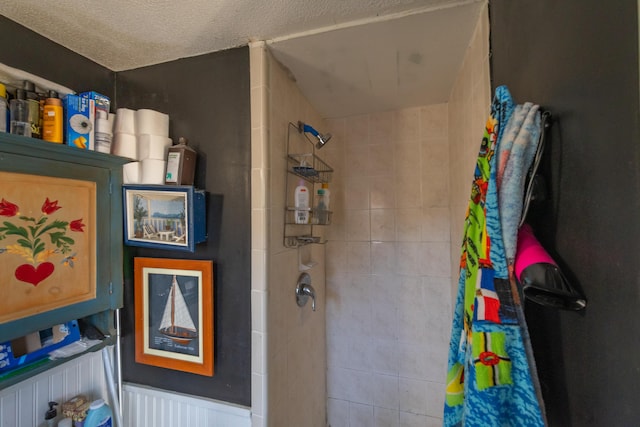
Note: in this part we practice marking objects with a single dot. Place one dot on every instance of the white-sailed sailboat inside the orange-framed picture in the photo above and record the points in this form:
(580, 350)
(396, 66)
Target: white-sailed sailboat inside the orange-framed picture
(176, 323)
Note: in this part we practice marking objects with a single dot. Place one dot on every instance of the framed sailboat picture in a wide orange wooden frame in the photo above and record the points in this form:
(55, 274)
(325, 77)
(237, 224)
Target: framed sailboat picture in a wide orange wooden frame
(174, 314)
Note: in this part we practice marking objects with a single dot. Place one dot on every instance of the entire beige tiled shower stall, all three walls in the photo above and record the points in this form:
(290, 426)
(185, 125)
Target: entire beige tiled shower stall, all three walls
(399, 193)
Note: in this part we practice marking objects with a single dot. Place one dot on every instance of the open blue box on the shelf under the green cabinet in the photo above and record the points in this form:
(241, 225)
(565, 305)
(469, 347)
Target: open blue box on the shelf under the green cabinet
(23, 351)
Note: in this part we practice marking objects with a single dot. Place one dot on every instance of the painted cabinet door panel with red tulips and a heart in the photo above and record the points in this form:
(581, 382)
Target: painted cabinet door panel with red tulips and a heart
(47, 243)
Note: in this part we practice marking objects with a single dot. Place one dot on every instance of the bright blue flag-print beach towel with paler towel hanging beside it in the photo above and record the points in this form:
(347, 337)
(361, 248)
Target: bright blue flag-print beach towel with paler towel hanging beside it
(489, 380)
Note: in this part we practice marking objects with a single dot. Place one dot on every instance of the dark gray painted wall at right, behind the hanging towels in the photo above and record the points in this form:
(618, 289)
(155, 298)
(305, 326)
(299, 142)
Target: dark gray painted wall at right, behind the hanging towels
(579, 60)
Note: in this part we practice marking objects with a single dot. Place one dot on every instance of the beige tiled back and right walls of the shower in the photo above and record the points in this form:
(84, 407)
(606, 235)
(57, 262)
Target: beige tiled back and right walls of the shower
(398, 199)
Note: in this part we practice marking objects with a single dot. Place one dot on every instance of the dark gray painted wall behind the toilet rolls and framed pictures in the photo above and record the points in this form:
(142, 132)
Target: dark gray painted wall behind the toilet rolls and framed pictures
(207, 98)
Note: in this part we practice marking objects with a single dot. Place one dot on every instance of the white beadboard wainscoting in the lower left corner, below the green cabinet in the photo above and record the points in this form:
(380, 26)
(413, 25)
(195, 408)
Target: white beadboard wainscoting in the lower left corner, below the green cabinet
(25, 404)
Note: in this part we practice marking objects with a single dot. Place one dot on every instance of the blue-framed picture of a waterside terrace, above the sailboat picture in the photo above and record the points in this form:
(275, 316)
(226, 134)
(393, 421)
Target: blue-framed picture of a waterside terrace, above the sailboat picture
(164, 216)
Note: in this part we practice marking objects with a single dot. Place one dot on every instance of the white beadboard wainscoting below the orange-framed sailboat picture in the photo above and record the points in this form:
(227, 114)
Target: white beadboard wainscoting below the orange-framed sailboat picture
(150, 407)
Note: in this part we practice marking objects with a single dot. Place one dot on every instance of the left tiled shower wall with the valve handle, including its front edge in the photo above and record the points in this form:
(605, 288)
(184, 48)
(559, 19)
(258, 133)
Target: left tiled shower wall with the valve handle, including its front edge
(289, 345)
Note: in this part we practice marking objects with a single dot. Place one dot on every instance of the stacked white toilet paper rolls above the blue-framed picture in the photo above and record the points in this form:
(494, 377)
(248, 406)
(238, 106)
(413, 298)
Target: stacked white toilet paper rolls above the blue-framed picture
(143, 136)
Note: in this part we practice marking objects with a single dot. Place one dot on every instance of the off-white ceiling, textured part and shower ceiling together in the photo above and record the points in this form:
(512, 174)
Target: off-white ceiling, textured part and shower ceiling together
(349, 57)
